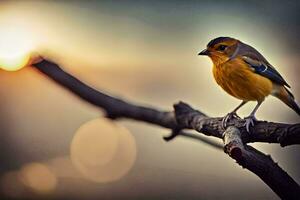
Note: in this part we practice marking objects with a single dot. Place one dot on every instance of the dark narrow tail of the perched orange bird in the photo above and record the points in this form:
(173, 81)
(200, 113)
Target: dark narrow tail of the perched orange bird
(288, 98)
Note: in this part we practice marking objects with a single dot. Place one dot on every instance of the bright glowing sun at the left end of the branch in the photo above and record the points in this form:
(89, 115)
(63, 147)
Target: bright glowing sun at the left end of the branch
(16, 45)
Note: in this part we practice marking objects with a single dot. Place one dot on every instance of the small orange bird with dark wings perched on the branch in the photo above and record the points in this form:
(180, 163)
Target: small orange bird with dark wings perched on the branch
(245, 74)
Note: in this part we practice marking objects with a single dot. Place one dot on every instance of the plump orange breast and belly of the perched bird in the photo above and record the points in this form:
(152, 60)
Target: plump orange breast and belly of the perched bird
(237, 79)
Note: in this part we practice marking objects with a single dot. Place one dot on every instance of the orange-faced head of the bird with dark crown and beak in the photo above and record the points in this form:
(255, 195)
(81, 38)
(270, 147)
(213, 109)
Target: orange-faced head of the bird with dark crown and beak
(221, 49)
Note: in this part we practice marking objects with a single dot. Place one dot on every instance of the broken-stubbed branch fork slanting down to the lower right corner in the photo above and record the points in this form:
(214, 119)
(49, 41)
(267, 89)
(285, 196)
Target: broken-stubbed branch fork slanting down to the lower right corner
(260, 164)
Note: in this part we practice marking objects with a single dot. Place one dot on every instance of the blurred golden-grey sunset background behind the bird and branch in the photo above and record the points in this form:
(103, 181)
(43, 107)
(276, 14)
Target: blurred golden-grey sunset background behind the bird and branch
(55, 146)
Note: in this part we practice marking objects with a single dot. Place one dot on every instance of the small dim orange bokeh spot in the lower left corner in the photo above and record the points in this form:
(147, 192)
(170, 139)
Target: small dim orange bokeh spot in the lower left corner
(38, 178)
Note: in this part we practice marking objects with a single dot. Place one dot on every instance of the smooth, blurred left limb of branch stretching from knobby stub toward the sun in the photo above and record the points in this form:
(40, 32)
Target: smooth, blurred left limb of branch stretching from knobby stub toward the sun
(114, 107)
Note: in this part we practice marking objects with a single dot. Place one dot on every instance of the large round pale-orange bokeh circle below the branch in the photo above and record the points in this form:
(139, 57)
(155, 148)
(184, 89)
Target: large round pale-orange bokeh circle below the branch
(103, 151)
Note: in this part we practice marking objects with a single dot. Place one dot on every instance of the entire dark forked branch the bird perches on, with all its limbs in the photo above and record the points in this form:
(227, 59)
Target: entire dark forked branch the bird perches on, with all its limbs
(185, 117)
